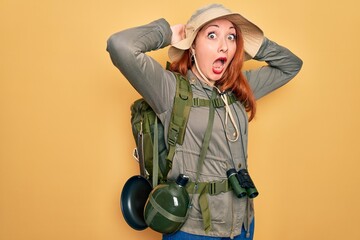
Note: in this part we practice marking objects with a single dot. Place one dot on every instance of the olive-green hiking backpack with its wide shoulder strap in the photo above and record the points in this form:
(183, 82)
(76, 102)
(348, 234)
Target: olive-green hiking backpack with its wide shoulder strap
(154, 158)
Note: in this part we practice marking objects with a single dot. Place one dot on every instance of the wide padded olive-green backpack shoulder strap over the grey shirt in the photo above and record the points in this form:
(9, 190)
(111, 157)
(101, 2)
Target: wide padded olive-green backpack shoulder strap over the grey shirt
(179, 116)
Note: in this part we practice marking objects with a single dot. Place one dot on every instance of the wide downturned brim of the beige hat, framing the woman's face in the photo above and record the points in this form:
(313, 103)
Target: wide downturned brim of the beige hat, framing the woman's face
(253, 37)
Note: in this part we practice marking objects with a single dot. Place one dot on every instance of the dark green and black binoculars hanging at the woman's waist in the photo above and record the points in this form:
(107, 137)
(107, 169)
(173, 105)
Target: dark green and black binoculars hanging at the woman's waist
(241, 183)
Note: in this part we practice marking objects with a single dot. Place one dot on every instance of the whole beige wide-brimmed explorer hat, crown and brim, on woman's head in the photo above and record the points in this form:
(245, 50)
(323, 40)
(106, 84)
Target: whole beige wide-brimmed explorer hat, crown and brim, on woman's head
(252, 35)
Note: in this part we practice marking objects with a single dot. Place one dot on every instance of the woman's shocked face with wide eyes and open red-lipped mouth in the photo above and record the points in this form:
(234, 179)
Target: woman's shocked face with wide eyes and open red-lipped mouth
(215, 47)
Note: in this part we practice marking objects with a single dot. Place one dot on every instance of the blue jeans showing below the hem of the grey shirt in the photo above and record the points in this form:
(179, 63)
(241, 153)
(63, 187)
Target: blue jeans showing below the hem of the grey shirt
(179, 235)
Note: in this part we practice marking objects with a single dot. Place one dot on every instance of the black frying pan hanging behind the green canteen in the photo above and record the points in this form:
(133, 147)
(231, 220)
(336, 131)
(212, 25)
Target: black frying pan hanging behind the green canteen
(133, 198)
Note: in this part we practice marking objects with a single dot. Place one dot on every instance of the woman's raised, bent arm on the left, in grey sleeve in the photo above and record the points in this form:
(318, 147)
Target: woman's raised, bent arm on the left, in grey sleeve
(127, 51)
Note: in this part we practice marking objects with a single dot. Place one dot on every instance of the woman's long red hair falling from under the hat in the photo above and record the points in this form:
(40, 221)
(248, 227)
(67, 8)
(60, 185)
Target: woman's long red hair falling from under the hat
(233, 79)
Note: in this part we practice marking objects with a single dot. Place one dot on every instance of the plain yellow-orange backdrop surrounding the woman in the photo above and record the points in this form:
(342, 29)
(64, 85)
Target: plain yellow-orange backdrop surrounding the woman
(65, 137)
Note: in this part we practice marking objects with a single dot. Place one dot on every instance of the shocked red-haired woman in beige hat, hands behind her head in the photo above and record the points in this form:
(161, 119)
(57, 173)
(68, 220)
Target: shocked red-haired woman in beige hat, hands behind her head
(209, 51)
